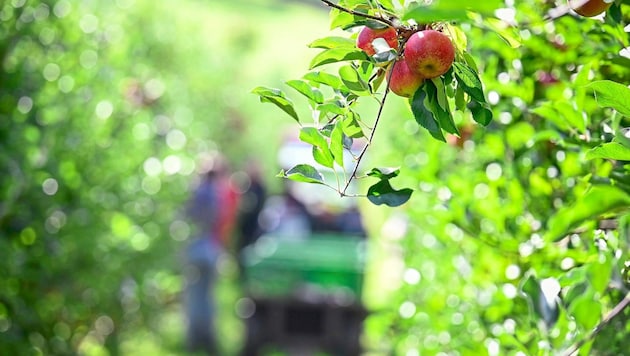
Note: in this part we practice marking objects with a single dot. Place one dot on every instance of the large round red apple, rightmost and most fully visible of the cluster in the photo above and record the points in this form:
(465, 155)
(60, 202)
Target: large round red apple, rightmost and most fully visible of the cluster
(429, 53)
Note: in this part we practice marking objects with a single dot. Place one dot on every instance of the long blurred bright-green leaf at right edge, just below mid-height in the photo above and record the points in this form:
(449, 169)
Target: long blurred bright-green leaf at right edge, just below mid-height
(597, 201)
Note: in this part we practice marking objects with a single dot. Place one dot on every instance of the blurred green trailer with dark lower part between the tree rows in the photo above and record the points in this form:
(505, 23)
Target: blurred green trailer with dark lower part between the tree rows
(305, 293)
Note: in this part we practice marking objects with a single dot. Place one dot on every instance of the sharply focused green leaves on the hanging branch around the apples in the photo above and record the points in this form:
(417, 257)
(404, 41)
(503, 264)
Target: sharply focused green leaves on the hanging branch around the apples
(360, 77)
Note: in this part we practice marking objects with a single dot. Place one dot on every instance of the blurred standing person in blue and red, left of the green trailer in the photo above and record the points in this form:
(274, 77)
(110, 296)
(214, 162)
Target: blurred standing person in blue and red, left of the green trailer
(212, 208)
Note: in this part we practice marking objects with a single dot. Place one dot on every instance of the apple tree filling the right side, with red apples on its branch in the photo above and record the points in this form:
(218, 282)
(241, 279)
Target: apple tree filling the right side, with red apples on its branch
(516, 237)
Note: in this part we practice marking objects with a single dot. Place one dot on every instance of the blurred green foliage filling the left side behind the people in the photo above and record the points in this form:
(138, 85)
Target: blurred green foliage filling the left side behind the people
(107, 111)
